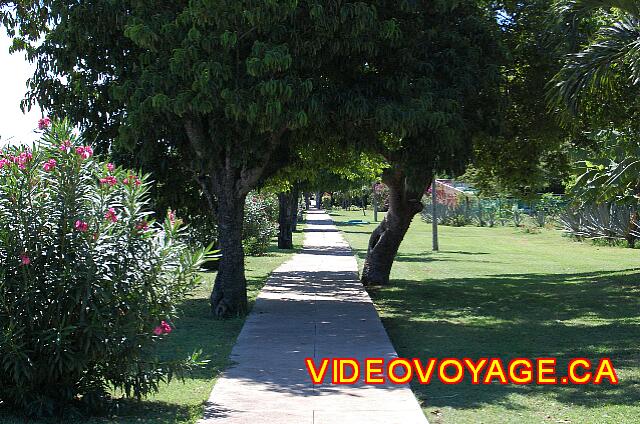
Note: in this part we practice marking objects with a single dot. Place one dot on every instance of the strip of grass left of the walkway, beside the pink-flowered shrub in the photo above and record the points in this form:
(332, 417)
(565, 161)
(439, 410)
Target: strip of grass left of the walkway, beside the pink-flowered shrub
(197, 329)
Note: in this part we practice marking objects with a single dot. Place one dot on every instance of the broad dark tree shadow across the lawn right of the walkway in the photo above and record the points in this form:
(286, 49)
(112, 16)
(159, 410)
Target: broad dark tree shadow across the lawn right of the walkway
(591, 314)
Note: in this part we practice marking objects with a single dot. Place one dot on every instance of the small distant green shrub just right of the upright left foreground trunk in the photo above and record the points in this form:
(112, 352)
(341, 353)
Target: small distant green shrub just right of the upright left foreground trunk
(260, 223)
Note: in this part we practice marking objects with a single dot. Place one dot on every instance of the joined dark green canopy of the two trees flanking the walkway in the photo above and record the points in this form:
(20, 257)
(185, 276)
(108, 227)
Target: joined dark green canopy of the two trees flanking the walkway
(240, 73)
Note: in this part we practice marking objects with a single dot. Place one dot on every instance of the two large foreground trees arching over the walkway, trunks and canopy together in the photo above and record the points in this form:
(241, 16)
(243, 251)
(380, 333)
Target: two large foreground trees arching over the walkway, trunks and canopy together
(217, 97)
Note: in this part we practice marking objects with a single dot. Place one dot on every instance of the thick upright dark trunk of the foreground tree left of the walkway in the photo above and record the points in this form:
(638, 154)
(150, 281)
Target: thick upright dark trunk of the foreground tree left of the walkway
(229, 296)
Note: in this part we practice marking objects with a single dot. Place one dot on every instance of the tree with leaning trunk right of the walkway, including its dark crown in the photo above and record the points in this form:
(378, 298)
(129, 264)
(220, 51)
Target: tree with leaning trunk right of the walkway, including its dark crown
(430, 96)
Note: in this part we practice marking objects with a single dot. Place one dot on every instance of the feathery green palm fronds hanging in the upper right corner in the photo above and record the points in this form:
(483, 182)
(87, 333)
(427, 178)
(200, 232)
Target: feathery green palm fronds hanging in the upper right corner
(608, 63)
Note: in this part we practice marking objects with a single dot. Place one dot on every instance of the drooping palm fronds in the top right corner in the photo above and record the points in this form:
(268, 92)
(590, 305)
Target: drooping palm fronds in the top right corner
(598, 82)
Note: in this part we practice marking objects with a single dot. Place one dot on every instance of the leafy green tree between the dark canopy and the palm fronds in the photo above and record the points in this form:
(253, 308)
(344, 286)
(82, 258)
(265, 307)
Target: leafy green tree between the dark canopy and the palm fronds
(532, 149)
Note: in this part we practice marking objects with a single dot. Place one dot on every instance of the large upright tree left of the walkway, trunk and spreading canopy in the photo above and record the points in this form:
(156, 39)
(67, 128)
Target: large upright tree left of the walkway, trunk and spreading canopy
(224, 87)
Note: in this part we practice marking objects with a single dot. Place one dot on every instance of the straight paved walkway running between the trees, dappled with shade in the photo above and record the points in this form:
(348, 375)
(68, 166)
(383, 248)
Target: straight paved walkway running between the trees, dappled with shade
(312, 306)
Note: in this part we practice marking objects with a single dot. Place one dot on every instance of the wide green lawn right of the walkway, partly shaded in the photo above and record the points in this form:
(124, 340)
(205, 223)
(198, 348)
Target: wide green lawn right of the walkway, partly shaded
(498, 292)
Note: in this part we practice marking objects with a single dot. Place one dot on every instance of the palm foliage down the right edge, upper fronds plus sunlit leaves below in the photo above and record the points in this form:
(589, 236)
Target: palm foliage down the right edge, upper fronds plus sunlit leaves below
(601, 80)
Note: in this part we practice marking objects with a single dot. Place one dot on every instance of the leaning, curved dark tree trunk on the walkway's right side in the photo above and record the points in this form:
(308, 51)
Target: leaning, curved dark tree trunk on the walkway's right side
(385, 240)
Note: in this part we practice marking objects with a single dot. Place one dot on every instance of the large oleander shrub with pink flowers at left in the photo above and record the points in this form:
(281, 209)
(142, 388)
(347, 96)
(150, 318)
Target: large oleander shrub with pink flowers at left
(88, 280)
